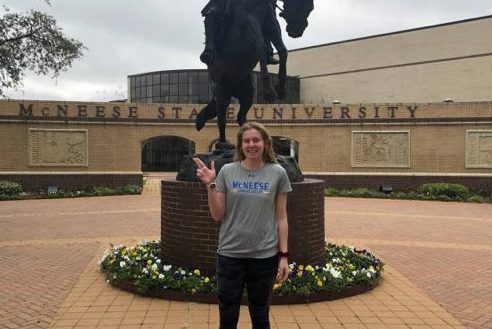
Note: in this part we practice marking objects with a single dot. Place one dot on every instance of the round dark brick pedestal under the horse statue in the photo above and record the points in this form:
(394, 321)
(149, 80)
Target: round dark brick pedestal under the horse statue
(189, 235)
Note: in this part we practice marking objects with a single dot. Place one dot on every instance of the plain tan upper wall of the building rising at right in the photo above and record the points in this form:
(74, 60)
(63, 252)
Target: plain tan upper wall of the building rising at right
(428, 64)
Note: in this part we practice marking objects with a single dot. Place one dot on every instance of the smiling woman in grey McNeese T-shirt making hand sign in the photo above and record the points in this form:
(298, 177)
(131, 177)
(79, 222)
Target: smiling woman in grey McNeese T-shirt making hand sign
(249, 197)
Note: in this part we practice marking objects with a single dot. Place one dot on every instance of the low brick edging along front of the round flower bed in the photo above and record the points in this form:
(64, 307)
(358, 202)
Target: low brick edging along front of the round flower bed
(276, 300)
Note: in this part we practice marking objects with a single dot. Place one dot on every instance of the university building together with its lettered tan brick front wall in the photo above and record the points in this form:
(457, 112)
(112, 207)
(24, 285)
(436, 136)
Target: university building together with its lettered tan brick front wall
(398, 109)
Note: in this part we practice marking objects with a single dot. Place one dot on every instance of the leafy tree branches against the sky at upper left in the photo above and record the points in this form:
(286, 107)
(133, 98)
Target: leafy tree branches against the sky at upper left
(32, 41)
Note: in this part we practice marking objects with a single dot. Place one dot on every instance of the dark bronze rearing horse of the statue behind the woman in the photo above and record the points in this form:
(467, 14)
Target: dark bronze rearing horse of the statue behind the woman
(240, 49)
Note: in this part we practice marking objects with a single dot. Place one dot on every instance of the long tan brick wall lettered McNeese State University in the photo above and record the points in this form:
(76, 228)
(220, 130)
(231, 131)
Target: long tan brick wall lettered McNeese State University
(452, 139)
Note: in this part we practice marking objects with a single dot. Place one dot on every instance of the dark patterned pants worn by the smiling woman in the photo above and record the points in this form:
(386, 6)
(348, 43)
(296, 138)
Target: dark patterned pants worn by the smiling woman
(232, 275)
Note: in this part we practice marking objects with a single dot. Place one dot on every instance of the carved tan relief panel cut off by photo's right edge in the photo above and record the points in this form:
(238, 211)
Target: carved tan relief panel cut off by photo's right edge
(478, 149)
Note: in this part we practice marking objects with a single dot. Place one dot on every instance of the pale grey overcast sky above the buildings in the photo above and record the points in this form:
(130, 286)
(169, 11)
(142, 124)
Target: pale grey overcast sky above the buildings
(127, 37)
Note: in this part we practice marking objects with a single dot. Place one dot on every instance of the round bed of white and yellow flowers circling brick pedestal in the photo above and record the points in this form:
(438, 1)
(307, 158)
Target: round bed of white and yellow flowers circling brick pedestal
(139, 269)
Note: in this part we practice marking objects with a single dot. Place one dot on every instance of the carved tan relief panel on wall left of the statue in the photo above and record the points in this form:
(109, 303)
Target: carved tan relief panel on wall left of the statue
(58, 147)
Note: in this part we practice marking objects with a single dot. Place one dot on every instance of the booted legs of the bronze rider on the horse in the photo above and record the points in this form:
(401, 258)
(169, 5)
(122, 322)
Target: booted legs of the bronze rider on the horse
(215, 13)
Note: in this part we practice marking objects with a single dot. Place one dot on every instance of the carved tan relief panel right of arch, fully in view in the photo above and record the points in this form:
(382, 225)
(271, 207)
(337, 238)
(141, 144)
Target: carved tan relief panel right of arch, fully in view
(381, 149)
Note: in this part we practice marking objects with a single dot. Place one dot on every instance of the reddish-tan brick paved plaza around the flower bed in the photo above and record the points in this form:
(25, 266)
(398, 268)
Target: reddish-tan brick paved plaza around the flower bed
(438, 272)
